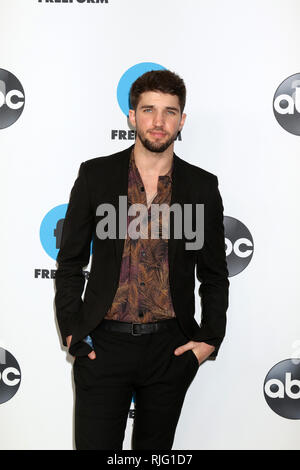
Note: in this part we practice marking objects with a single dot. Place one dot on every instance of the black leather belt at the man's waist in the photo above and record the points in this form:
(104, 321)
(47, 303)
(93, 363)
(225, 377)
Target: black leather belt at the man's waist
(138, 329)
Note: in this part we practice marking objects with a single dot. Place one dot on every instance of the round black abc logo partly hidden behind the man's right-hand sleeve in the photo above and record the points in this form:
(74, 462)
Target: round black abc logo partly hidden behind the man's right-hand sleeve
(239, 245)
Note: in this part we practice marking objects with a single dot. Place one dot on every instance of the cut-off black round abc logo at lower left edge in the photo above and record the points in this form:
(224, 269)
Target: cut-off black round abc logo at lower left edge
(10, 376)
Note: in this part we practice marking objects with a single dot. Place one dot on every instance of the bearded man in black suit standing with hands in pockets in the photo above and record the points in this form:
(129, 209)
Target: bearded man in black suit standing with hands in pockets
(135, 331)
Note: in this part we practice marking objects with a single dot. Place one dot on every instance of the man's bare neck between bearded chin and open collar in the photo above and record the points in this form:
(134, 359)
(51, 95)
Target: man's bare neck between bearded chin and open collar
(152, 163)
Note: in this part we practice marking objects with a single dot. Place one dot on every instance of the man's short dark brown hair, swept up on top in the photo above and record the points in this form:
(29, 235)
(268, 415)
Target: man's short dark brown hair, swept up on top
(158, 80)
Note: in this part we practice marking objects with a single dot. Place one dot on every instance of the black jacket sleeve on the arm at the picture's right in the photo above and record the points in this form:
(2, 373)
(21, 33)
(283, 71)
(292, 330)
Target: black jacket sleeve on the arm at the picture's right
(212, 273)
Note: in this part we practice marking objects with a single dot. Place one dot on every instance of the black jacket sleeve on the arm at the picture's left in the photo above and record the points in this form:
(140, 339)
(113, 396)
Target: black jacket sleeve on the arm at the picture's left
(73, 255)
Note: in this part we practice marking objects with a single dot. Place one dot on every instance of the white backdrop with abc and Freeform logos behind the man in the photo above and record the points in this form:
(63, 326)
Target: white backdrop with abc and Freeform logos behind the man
(66, 67)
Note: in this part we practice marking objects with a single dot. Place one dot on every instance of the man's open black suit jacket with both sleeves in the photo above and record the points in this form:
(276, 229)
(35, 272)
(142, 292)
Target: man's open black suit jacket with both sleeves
(102, 180)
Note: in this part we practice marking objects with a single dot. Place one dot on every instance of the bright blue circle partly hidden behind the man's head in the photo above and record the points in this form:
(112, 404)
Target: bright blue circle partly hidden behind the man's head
(127, 80)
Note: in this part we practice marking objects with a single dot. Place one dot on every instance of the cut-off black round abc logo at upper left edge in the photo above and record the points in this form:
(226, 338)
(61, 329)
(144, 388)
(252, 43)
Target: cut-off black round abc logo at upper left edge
(12, 99)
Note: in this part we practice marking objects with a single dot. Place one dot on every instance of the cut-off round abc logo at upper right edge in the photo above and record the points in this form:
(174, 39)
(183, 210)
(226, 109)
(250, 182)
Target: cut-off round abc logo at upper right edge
(286, 104)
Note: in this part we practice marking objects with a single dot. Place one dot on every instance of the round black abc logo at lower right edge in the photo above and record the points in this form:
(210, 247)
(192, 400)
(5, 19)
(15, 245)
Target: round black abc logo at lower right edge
(282, 389)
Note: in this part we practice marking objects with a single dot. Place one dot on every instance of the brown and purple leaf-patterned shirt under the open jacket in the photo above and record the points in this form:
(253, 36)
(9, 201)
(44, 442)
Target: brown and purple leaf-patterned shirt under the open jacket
(143, 294)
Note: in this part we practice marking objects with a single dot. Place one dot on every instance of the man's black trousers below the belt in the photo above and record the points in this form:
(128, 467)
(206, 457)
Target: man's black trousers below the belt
(125, 364)
